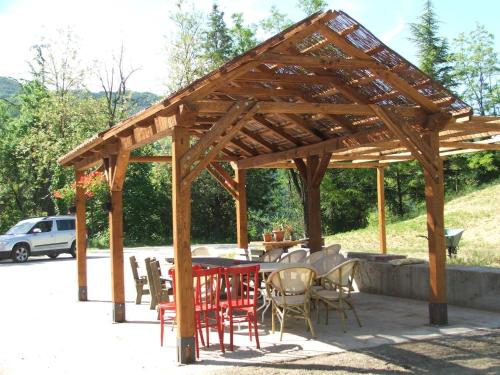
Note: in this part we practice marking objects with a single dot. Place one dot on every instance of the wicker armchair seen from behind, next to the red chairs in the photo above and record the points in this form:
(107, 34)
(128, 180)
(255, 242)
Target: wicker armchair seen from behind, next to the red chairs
(289, 290)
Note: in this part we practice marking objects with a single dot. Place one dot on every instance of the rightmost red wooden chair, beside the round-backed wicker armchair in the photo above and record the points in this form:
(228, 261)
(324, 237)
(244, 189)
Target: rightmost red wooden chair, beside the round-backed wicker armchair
(242, 292)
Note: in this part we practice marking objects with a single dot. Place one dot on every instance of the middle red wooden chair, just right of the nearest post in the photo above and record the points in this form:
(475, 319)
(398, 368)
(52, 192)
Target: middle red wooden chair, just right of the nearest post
(207, 285)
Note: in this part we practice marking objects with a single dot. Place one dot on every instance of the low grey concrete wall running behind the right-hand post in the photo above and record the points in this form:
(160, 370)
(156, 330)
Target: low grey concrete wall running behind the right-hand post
(475, 287)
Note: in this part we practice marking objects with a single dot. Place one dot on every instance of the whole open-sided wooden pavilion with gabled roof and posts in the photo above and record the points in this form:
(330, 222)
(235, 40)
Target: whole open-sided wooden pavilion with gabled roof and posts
(325, 93)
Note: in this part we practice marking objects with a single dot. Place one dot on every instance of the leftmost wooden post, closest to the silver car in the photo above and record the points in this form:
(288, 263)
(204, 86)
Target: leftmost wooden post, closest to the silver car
(81, 238)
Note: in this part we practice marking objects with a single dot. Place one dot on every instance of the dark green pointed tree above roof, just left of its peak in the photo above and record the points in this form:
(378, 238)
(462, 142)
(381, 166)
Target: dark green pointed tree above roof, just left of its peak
(217, 42)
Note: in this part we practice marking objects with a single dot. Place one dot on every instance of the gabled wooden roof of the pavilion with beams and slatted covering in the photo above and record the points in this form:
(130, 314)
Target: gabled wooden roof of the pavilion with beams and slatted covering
(324, 85)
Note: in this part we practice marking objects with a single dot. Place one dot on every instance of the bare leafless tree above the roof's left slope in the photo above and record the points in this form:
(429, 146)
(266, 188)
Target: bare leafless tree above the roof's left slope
(114, 84)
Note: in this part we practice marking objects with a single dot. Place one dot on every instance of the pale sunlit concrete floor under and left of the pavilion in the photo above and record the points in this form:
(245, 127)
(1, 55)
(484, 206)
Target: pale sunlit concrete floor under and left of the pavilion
(45, 330)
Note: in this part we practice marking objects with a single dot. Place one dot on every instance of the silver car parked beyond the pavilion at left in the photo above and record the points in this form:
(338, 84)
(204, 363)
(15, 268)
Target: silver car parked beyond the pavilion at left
(51, 236)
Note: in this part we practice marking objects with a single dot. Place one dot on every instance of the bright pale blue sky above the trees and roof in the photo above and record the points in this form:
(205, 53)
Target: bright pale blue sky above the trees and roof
(144, 27)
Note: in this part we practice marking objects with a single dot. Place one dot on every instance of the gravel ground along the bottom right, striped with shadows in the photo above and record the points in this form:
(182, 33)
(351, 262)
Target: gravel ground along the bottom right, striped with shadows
(473, 353)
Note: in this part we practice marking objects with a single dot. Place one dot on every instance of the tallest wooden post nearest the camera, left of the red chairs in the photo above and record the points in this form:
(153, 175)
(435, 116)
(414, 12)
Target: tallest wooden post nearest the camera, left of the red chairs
(181, 207)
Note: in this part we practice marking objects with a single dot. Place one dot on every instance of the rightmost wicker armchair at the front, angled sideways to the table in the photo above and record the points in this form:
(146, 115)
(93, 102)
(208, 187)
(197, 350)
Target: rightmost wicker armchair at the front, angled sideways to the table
(336, 290)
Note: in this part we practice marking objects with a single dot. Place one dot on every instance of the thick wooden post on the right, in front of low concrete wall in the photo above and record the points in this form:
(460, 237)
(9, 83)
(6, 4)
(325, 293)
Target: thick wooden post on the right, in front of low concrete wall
(434, 198)
